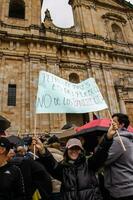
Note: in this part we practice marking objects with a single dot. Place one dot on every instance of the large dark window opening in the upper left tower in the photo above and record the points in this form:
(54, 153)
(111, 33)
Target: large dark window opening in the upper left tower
(17, 9)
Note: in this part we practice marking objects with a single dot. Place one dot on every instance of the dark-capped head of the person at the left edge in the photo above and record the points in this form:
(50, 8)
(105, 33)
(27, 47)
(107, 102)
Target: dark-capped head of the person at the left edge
(4, 146)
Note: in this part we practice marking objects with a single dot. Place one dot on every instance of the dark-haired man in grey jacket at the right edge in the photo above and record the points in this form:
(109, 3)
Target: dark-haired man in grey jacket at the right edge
(119, 164)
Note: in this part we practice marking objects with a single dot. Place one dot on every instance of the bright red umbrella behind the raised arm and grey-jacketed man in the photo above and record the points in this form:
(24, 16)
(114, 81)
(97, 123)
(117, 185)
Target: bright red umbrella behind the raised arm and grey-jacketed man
(97, 125)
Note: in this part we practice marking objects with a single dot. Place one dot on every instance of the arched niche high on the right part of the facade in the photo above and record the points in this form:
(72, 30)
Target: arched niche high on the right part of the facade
(117, 33)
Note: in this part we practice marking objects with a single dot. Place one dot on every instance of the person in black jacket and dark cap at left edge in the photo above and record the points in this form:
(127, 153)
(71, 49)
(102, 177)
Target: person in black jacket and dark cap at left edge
(12, 186)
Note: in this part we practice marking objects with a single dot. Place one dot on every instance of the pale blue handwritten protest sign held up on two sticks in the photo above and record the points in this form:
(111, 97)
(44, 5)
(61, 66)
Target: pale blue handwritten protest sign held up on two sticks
(56, 95)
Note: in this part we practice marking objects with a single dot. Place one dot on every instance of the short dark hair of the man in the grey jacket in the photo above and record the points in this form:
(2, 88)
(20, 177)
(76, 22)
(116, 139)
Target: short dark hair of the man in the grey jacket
(122, 119)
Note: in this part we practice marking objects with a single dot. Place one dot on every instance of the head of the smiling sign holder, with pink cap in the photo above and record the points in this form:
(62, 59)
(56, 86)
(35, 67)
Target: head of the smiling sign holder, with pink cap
(73, 148)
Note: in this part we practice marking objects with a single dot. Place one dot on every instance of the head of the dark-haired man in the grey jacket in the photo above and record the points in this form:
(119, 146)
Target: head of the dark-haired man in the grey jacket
(121, 119)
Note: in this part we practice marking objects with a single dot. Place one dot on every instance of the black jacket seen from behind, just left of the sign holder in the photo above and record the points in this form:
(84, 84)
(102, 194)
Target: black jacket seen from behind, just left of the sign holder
(35, 177)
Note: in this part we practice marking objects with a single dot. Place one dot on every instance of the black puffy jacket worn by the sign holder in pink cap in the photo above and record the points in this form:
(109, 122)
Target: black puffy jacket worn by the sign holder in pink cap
(78, 179)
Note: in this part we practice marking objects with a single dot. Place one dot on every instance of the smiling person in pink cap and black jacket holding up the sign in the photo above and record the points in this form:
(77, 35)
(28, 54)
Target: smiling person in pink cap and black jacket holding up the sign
(76, 172)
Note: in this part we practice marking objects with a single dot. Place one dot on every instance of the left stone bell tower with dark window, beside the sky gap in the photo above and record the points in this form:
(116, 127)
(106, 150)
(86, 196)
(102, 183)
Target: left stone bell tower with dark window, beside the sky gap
(21, 12)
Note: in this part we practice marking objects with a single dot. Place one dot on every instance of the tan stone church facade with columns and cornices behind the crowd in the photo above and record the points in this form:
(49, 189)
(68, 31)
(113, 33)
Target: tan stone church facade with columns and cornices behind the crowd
(99, 45)
